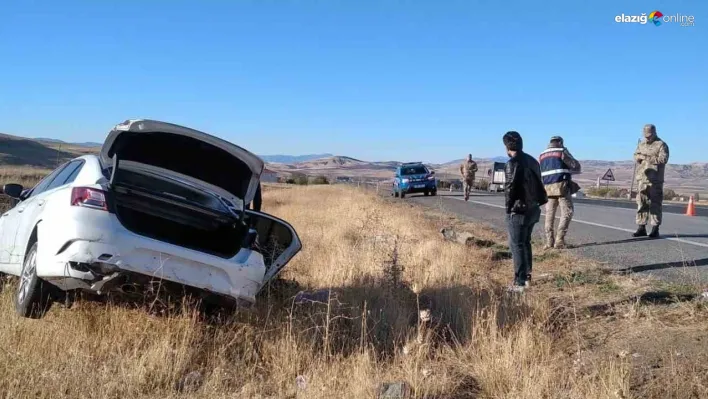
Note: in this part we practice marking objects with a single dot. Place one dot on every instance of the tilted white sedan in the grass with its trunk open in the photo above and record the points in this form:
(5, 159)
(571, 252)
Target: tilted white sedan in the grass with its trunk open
(160, 204)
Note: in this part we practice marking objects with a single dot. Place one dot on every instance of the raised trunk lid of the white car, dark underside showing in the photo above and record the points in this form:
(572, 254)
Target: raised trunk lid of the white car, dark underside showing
(186, 151)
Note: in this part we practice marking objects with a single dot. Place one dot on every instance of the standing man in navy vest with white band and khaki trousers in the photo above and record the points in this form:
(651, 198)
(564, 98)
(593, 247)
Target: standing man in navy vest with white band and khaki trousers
(557, 166)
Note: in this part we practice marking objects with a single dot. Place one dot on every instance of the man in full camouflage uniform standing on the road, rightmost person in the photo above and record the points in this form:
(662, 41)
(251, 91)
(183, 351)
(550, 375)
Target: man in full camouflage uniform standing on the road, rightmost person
(651, 156)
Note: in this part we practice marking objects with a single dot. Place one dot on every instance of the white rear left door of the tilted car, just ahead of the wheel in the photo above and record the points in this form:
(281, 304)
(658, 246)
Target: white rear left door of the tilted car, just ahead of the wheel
(33, 210)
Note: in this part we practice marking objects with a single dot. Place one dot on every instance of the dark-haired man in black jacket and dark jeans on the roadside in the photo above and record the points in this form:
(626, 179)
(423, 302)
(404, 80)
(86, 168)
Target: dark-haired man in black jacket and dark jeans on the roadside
(525, 195)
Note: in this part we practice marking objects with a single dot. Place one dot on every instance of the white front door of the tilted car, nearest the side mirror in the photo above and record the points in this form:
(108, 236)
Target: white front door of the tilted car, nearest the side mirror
(11, 220)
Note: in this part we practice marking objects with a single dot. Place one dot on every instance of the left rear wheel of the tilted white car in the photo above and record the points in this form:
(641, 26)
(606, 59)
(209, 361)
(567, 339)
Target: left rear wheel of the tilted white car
(33, 296)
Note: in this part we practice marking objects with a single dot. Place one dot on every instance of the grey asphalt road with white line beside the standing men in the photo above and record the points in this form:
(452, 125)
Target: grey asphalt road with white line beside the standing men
(602, 230)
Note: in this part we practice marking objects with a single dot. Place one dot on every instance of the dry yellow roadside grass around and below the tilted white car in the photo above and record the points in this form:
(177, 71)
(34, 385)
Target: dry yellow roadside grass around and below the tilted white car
(381, 263)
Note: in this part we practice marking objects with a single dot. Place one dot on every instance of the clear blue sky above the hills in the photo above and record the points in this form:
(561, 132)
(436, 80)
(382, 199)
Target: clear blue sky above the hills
(377, 80)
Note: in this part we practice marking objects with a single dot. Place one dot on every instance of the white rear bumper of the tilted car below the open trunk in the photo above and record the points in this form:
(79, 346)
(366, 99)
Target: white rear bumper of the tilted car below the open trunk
(85, 255)
